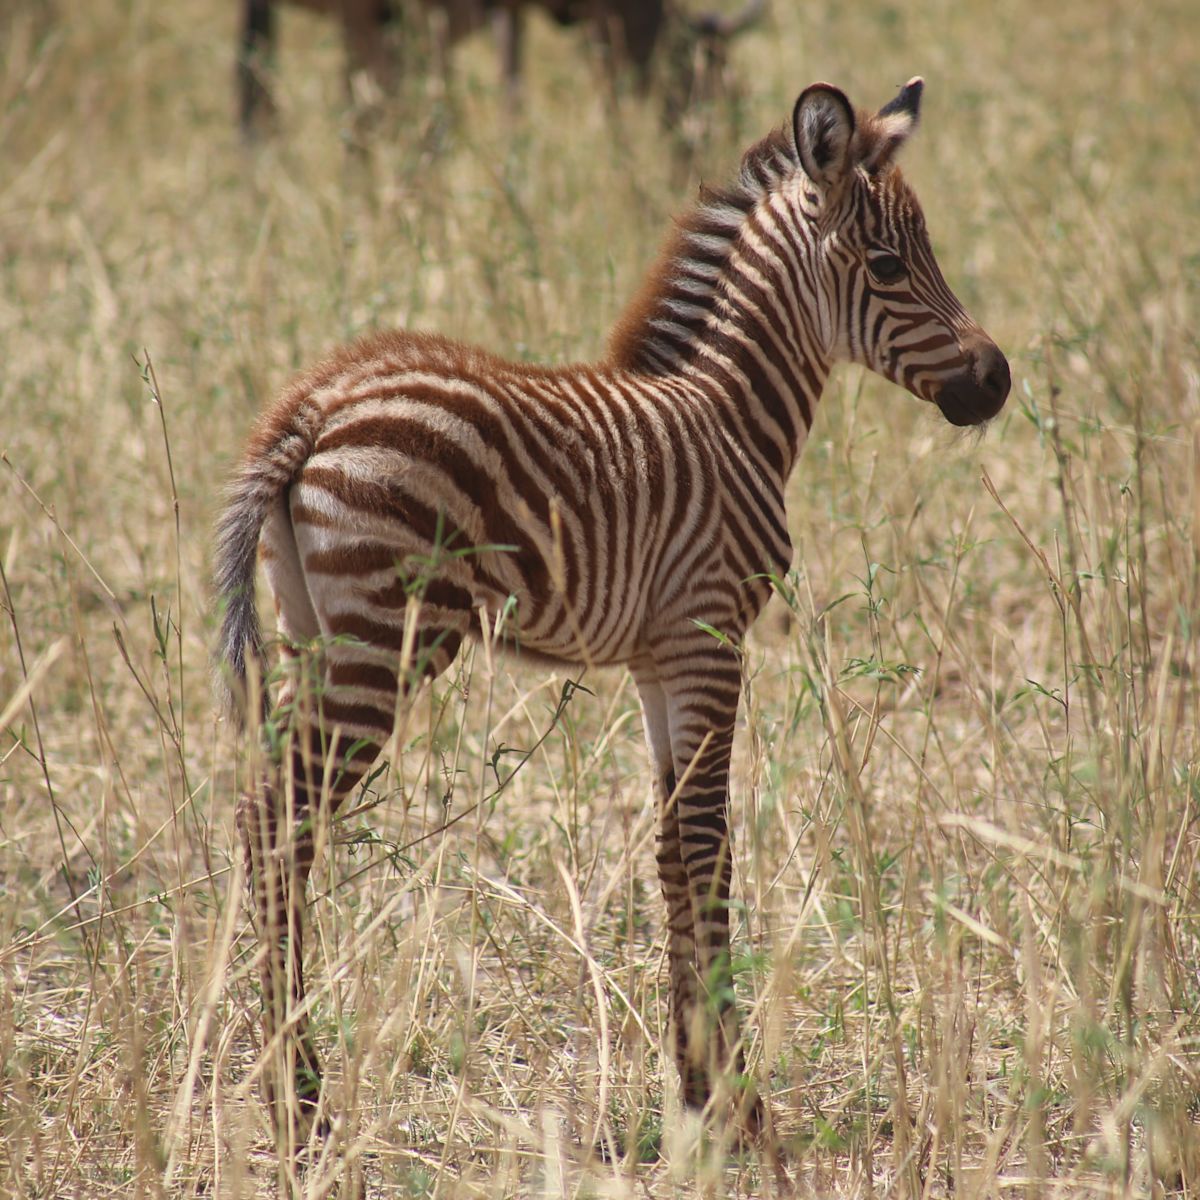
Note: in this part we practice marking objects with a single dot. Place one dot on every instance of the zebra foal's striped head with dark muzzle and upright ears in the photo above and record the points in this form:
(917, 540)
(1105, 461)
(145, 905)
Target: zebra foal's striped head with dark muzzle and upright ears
(889, 305)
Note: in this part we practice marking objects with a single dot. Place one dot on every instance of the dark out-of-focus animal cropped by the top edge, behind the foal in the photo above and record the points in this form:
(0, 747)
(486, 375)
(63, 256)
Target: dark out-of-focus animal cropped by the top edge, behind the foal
(628, 35)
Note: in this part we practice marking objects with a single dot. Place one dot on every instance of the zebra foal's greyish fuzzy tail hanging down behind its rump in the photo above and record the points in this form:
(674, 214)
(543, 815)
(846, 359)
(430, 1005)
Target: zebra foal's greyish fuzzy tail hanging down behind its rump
(278, 451)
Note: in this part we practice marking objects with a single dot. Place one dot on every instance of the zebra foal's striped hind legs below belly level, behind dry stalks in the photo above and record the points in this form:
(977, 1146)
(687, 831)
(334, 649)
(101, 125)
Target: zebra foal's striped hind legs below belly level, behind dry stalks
(328, 736)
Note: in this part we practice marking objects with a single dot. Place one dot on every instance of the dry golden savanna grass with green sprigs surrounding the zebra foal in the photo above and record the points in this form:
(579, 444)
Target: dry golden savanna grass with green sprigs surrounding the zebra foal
(965, 793)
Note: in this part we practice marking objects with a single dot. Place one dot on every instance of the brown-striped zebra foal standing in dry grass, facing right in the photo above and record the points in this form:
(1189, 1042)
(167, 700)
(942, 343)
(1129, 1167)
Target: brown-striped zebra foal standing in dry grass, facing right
(622, 511)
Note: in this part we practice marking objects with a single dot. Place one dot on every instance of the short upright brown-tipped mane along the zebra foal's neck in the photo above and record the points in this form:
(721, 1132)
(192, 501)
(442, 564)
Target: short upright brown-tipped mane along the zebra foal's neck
(671, 309)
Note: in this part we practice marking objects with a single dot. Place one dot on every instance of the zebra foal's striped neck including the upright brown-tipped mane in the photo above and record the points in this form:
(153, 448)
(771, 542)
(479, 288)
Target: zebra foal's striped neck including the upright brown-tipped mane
(727, 309)
